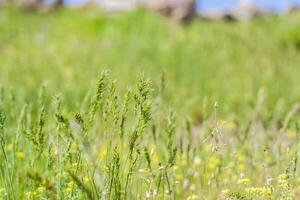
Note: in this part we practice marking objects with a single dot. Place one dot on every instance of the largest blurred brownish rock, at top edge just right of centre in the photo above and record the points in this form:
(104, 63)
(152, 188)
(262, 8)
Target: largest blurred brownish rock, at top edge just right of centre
(178, 10)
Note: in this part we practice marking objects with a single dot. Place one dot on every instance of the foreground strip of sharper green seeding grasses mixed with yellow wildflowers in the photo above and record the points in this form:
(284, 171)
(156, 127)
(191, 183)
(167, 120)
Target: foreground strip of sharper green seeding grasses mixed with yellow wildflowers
(127, 146)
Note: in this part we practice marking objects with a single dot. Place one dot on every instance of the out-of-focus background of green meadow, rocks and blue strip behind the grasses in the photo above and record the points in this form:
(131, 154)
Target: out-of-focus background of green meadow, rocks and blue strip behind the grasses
(218, 50)
